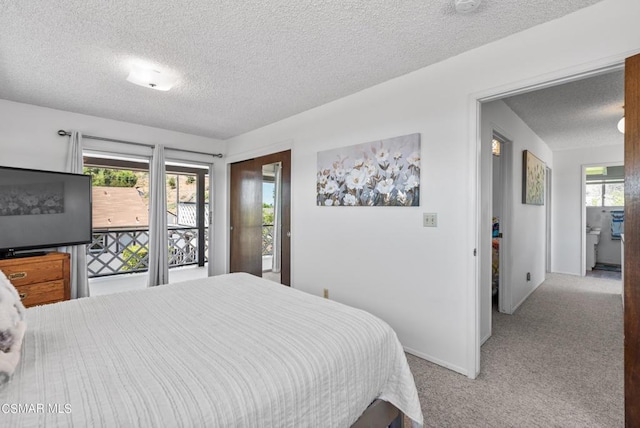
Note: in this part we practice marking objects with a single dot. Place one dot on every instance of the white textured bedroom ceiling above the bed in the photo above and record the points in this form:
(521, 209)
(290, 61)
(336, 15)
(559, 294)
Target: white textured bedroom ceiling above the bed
(241, 64)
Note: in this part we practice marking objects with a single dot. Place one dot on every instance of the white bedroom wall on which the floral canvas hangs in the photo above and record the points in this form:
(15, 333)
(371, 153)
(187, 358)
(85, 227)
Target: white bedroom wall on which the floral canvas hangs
(422, 280)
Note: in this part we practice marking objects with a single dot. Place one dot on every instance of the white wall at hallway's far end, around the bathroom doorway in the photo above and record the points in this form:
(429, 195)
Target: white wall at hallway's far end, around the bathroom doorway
(568, 233)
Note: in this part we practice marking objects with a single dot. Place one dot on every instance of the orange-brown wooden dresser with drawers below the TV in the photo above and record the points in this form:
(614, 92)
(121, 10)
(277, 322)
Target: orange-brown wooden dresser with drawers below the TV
(39, 279)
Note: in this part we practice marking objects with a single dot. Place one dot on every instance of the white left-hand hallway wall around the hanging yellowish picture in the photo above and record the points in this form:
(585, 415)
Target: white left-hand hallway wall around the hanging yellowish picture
(525, 237)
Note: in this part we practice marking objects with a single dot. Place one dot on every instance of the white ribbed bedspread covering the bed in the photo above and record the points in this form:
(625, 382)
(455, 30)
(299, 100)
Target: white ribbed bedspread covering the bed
(228, 351)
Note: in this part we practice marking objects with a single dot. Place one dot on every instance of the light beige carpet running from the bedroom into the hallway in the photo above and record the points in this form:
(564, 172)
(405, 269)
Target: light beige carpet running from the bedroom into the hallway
(556, 362)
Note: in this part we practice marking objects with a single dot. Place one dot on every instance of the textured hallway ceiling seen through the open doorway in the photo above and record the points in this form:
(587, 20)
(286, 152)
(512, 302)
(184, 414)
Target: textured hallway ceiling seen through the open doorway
(577, 114)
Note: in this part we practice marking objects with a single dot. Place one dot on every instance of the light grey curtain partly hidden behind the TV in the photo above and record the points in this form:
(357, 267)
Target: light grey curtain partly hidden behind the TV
(78, 253)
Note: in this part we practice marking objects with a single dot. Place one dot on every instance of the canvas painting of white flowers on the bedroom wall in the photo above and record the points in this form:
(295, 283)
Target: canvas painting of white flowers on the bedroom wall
(378, 173)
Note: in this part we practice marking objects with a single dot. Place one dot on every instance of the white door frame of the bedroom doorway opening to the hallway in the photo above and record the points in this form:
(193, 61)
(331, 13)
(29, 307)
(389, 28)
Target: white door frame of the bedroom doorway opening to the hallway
(474, 294)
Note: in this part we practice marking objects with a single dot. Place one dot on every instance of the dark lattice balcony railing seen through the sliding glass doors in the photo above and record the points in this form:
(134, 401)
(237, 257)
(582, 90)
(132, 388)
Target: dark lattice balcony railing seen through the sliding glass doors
(114, 252)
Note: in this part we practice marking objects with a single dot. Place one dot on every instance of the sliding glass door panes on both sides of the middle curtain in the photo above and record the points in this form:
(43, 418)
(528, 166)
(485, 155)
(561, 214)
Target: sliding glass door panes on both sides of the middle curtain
(121, 215)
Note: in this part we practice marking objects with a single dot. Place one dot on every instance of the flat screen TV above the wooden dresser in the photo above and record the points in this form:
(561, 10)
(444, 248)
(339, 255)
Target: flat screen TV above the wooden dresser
(43, 209)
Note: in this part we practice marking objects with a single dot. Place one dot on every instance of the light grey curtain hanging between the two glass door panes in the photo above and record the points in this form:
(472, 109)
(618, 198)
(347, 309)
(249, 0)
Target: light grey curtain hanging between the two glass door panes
(158, 238)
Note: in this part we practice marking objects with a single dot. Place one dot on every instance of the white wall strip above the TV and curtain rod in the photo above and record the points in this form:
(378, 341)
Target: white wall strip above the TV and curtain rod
(29, 139)
